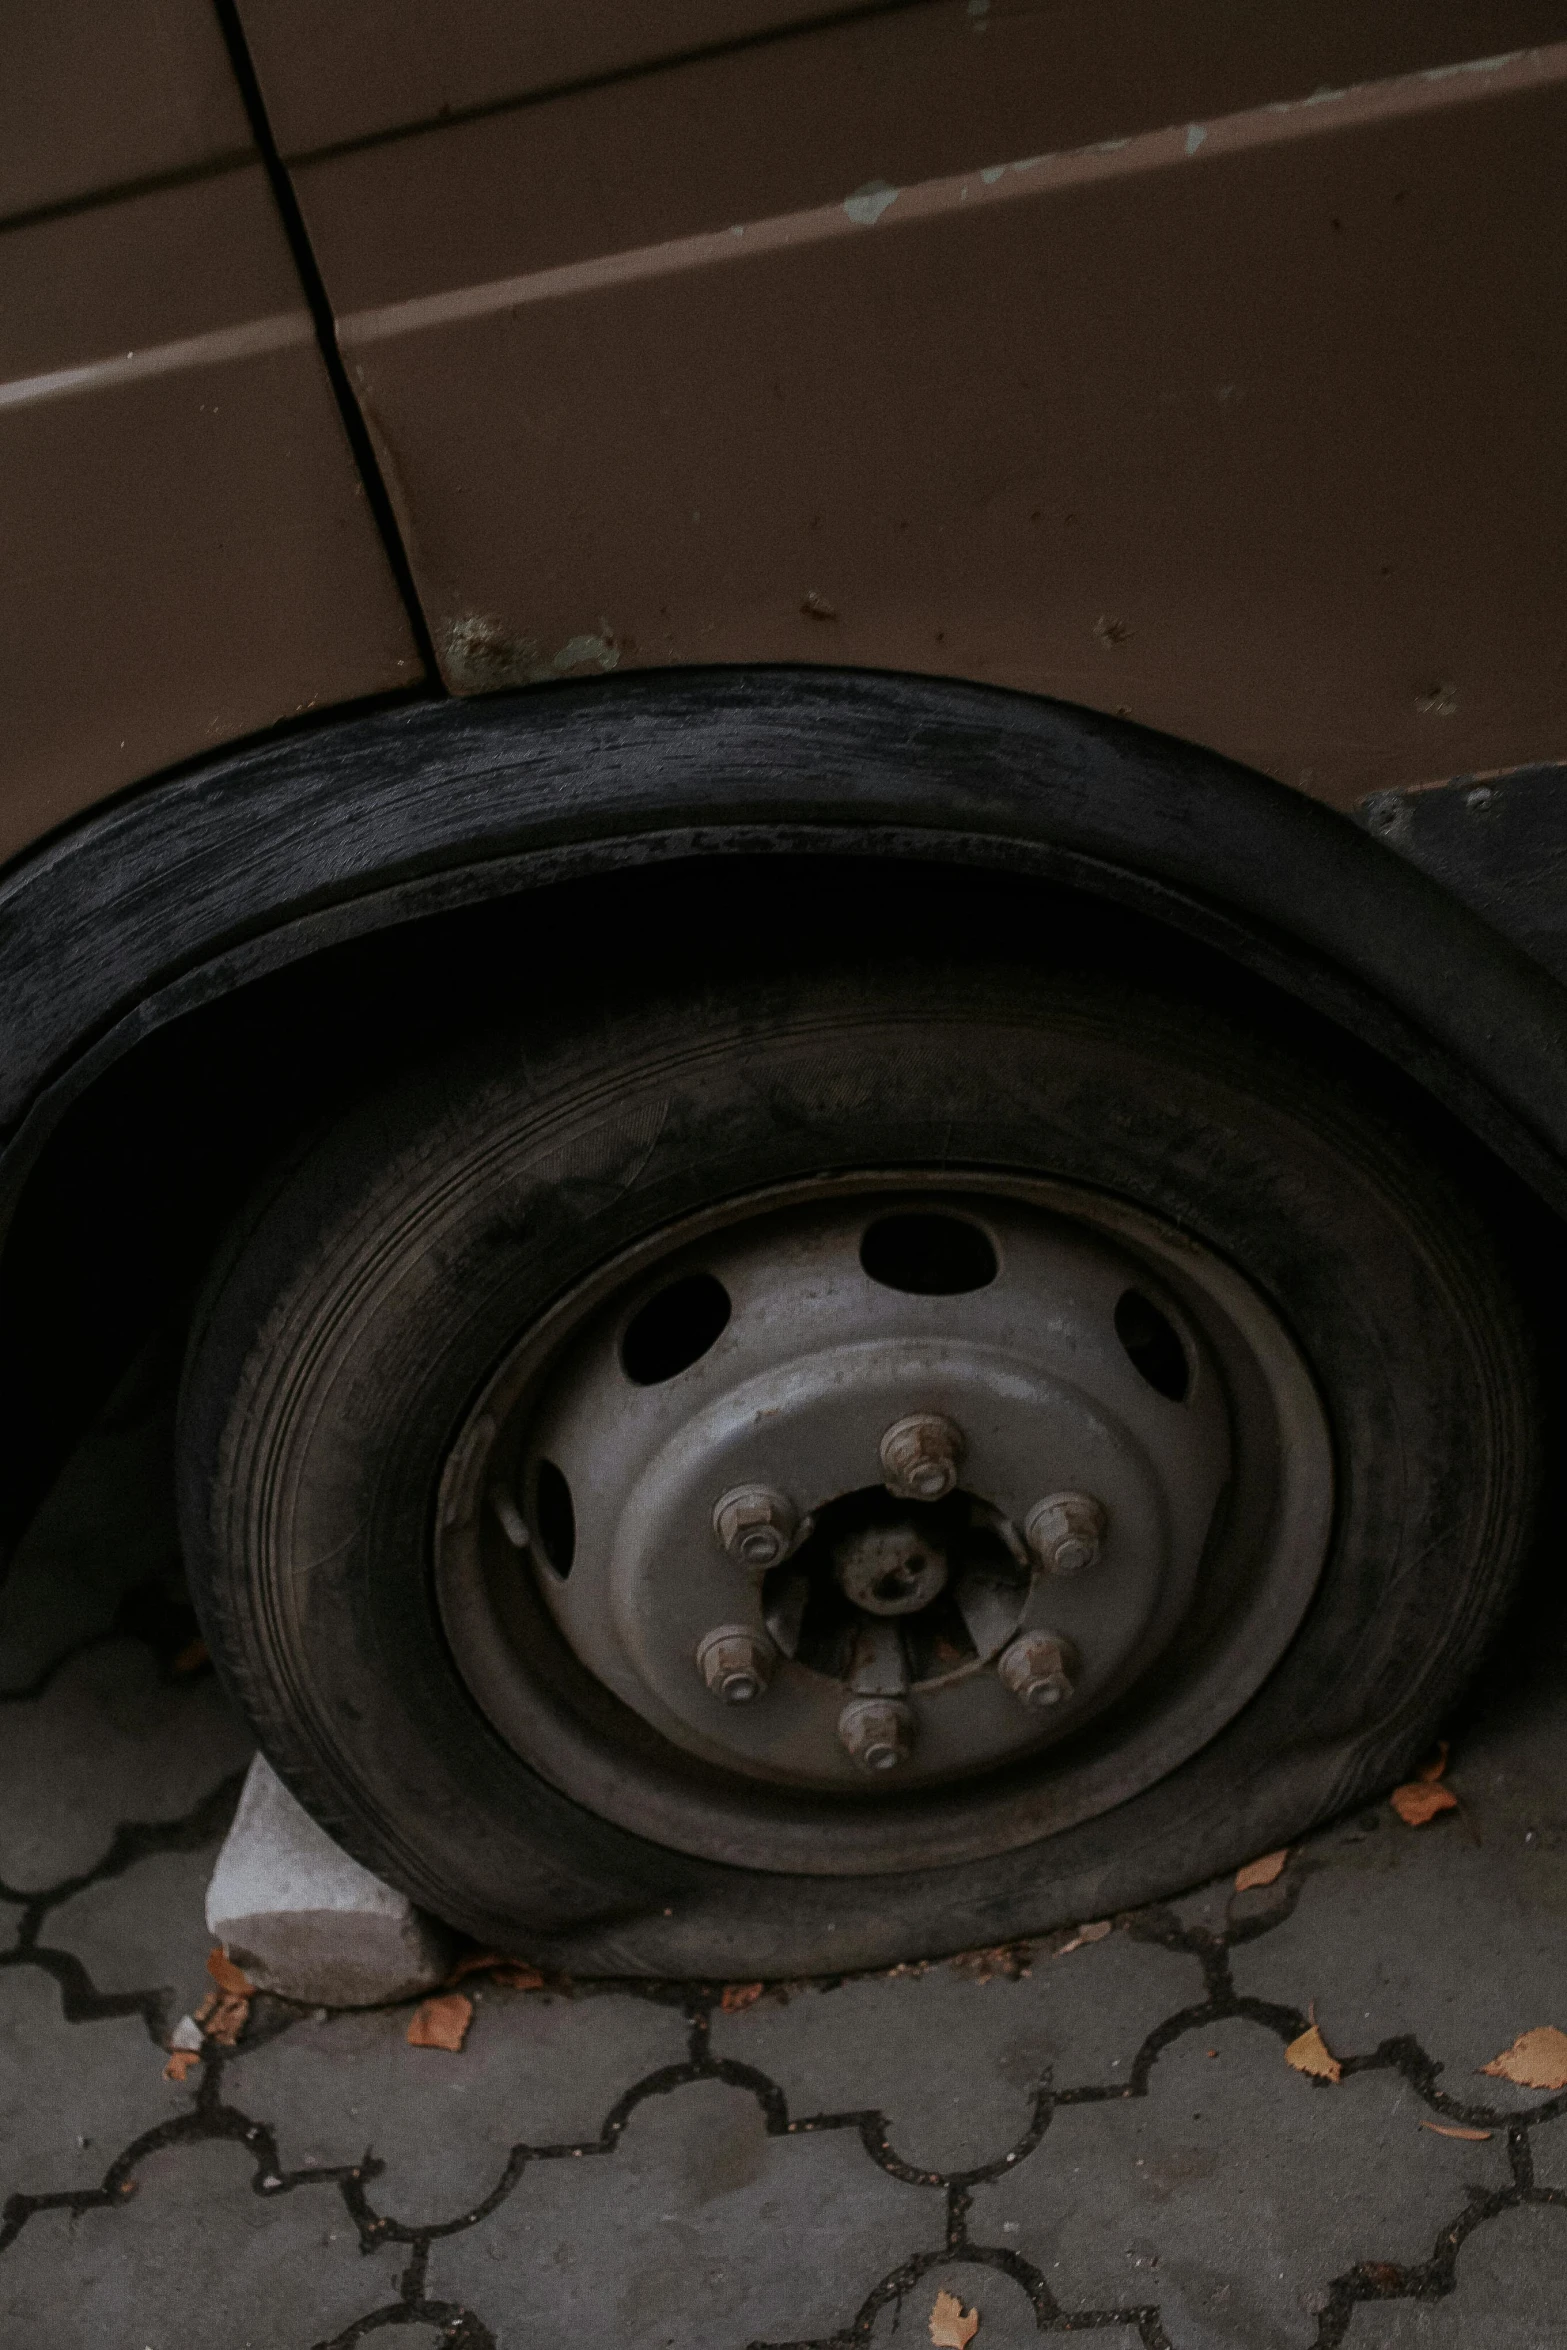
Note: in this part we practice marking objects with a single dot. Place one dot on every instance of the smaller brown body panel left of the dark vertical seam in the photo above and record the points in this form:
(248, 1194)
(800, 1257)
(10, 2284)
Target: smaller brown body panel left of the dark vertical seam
(189, 551)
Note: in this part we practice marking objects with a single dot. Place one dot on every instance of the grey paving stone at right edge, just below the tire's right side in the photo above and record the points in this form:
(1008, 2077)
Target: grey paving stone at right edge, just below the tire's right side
(1474, 1961)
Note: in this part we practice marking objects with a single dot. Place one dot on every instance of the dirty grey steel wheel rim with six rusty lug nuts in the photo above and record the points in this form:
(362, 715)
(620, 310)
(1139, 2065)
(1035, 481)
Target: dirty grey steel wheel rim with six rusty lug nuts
(769, 1550)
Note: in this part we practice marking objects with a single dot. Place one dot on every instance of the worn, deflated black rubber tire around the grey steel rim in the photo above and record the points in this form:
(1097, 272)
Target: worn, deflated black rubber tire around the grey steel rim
(384, 1275)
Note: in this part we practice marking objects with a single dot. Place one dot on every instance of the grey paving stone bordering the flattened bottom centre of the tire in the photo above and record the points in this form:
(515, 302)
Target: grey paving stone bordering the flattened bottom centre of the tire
(953, 2060)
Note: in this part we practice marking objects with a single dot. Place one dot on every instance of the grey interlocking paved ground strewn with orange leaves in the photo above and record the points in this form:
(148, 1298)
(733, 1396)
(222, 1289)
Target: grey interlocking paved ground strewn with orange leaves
(1108, 2140)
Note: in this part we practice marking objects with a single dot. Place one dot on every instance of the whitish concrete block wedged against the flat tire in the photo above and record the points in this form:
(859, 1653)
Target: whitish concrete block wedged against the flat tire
(307, 1921)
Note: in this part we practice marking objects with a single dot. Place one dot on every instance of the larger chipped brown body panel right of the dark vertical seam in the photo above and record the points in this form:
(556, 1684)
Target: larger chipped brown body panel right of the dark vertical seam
(1246, 427)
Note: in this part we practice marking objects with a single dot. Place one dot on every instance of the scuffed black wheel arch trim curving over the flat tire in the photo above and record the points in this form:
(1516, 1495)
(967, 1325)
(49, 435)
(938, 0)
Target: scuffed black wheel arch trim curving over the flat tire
(159, 932)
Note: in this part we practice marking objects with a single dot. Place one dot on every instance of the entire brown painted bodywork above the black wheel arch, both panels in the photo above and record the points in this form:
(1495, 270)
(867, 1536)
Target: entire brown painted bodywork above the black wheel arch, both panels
(1178, 358)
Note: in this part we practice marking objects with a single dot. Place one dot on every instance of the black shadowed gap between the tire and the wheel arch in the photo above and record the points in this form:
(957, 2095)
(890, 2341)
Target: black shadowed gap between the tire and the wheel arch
(135, 1188)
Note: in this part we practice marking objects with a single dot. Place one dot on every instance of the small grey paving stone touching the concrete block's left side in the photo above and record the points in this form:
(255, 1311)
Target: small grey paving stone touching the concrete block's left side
(142, 1928)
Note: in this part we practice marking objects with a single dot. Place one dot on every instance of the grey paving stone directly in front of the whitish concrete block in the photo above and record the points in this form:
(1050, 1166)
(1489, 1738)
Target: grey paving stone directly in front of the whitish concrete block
(537, 2069)
